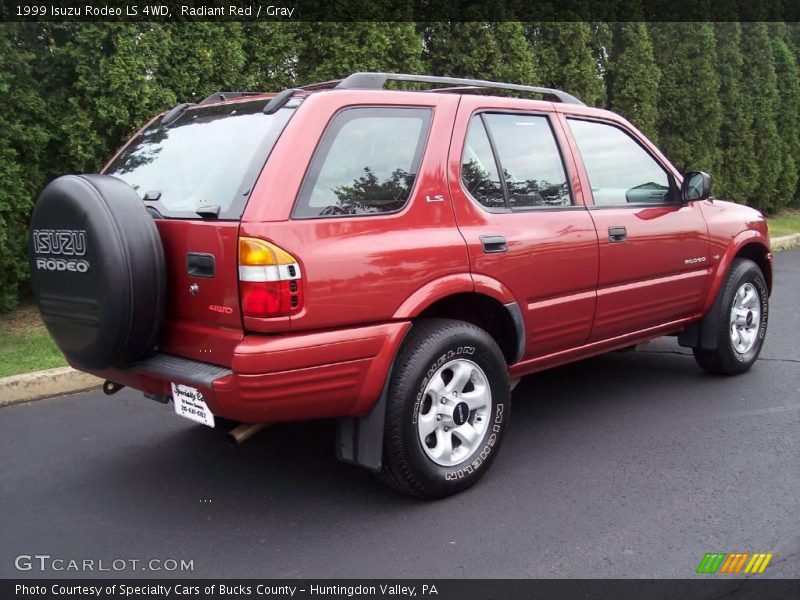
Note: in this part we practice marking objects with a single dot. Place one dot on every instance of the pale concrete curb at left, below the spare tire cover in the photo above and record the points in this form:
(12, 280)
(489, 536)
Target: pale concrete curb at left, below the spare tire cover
(44, 384)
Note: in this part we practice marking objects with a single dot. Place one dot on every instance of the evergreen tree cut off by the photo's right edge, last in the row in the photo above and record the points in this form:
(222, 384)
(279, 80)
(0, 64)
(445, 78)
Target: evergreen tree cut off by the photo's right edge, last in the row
(787, 115)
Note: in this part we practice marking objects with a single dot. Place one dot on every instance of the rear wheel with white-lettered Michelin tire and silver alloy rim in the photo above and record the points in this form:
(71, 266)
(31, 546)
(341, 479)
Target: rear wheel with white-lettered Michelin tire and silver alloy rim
(442, 355)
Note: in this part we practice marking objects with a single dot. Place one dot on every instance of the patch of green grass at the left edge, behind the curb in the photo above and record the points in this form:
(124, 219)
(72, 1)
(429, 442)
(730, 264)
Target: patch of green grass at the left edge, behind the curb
(25, 344)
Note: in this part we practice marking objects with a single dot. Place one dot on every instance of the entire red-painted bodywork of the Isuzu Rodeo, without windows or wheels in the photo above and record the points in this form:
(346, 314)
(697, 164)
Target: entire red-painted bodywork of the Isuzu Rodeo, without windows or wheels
(366, 277)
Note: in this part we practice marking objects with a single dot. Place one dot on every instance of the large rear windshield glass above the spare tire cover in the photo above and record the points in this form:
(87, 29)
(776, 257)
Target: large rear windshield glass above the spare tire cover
(211, 155)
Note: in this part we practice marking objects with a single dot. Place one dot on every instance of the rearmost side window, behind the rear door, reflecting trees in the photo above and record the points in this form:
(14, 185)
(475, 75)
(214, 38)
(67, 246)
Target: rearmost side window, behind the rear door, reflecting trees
(366, 163)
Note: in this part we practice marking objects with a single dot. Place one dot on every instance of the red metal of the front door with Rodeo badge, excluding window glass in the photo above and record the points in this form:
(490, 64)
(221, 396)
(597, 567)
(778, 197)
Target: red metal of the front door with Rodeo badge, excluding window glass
(645, 280)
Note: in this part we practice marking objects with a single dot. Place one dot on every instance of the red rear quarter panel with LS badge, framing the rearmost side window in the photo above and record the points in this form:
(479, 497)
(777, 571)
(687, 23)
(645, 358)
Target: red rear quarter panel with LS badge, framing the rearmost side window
(359, 269)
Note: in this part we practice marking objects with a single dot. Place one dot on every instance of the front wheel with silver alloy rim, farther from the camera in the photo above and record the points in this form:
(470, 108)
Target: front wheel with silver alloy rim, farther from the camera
(741, 321)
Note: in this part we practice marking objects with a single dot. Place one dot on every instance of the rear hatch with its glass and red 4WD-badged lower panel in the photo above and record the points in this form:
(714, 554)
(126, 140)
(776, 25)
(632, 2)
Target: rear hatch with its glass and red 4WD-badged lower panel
(195, 174)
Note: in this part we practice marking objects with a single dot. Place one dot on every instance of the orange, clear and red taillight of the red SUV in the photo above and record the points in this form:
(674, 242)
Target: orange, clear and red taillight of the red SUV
(270, 282)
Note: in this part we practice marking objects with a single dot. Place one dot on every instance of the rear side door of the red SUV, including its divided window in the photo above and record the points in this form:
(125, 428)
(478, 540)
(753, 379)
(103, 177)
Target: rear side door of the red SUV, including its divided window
(528, 229)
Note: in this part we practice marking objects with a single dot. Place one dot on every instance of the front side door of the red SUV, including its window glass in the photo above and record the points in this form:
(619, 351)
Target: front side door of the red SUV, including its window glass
(654, 259)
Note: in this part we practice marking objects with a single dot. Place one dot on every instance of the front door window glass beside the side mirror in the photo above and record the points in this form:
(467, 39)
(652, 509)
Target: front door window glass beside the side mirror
(620, 171)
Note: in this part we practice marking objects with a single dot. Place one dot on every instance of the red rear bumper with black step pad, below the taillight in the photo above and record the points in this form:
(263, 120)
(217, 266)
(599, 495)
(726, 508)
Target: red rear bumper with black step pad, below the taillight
(295, 377)
